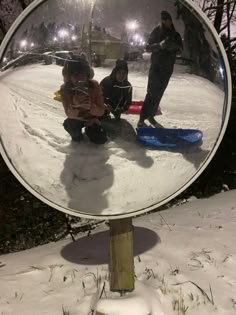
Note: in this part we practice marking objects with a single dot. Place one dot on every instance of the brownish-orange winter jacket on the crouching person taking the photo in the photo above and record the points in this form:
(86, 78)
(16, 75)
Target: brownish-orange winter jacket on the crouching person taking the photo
(83, 106)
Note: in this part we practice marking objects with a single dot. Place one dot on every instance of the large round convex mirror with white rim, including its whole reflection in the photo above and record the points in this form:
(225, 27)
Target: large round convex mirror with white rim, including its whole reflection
(102, 102)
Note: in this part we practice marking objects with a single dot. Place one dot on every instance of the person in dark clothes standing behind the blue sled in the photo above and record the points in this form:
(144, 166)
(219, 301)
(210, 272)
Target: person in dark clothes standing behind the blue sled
(164, 44)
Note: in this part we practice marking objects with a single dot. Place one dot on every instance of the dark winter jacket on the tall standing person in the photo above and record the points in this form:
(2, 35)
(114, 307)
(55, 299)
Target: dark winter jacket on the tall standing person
(164, 45)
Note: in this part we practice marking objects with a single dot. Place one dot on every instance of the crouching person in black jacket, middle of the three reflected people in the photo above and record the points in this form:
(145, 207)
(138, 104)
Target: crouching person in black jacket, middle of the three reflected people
(117, 90)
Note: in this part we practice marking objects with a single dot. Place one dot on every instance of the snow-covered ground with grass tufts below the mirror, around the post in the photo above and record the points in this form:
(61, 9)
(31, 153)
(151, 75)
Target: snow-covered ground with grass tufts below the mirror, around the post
(181, 256)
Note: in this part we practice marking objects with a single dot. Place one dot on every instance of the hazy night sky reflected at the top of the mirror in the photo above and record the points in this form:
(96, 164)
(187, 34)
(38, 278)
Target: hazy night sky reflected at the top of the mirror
(113, 15)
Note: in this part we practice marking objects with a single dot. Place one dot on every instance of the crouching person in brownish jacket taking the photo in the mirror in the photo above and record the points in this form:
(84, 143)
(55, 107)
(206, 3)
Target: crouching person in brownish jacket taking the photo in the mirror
(83, 102)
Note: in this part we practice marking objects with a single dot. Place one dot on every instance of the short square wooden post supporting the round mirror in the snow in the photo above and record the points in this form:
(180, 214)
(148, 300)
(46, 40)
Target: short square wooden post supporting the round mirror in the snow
(121, 256)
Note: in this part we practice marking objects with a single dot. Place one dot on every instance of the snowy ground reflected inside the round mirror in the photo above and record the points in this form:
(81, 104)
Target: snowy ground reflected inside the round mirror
(95, 179)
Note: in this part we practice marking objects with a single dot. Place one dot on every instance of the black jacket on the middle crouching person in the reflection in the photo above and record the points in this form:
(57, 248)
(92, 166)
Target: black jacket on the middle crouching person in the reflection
(116, 94)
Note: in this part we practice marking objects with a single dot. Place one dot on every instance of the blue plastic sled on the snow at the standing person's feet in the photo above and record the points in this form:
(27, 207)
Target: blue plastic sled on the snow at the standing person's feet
(168, 138)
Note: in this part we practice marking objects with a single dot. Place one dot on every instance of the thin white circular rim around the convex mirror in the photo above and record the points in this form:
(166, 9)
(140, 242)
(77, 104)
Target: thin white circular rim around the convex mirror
(228, 97)
